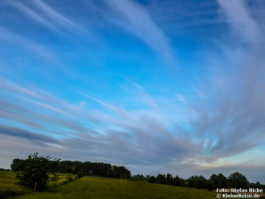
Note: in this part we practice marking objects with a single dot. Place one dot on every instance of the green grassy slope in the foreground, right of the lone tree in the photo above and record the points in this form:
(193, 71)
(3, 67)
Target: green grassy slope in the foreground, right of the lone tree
(99, 188)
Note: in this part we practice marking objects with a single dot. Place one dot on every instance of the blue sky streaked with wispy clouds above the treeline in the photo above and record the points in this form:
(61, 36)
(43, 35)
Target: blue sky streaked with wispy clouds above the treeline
(155, 85)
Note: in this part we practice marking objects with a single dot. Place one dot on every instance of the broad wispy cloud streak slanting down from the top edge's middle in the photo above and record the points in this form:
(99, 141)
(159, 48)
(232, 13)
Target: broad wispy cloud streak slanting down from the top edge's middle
(136, 19)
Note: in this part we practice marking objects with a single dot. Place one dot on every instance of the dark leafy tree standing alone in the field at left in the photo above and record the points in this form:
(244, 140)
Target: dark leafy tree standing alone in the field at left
(35, 172)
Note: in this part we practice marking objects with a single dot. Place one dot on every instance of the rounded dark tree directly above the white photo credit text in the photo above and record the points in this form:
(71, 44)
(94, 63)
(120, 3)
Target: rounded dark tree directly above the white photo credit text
(237, 180)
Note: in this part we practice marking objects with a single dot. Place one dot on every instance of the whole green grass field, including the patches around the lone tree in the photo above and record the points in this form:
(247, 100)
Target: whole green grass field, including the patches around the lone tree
(100, 188)
